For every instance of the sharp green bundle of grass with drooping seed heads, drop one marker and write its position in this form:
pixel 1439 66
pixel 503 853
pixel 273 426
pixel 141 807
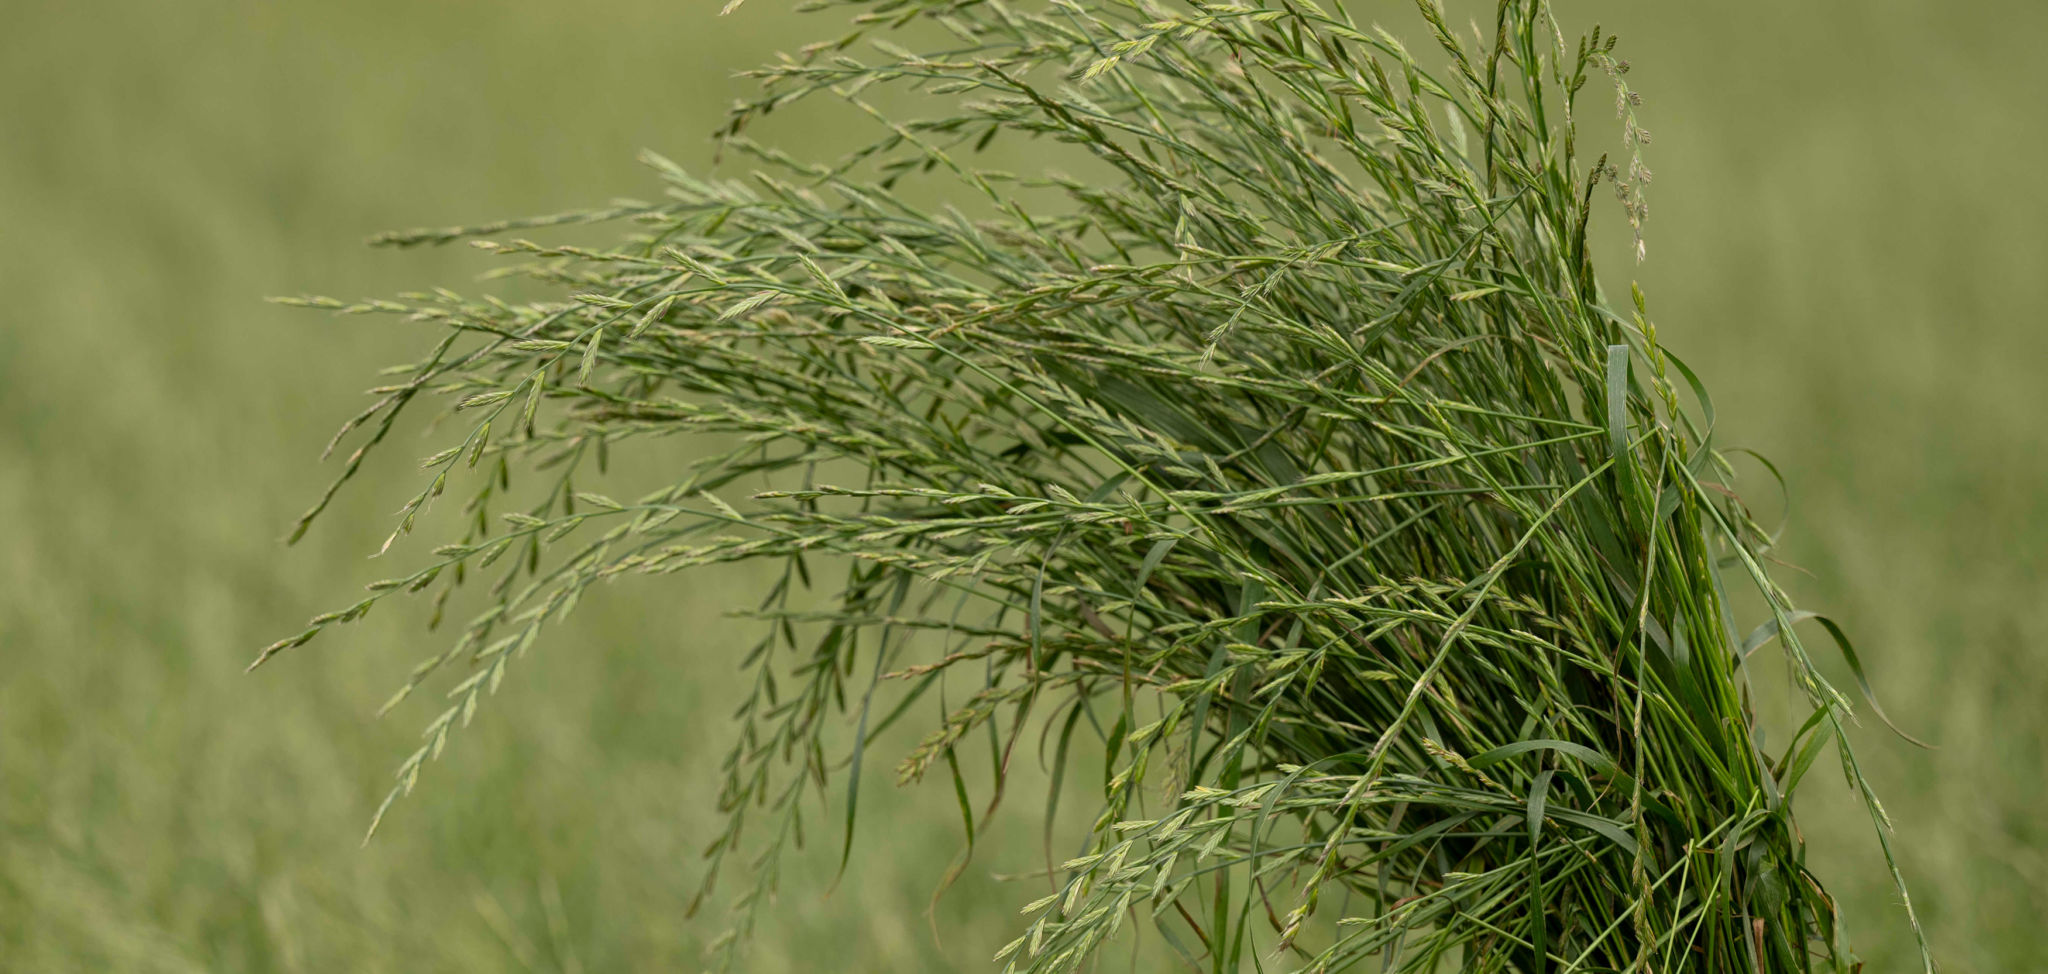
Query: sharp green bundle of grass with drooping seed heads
pixel 1291 459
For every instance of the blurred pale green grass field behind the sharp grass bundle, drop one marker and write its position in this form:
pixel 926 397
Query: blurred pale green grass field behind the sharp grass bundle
pixel 1848 240
